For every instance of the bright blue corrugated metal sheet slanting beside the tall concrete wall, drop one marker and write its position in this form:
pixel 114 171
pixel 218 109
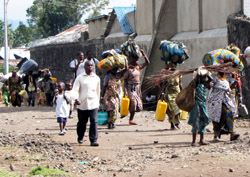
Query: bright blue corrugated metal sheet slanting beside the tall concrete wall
pixel 121 16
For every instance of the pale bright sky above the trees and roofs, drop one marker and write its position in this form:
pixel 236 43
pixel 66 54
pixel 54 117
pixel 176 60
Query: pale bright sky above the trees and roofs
pixel 16 9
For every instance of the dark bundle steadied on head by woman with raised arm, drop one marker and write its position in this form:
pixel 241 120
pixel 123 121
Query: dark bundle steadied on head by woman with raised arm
pixel 131 50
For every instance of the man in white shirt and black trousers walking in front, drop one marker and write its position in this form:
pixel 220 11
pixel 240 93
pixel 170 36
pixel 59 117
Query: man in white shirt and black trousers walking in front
pixel 87 93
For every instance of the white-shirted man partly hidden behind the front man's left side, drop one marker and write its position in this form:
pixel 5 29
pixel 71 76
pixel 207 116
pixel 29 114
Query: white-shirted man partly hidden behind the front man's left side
pixel 77 65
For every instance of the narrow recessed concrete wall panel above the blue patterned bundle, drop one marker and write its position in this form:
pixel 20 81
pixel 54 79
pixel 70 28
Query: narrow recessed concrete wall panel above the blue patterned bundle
pixel 188 15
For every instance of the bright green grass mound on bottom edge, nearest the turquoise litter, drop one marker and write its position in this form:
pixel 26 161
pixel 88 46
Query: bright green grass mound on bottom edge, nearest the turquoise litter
pixel 46 172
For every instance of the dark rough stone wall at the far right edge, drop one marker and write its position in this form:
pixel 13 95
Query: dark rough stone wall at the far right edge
pixel 239 34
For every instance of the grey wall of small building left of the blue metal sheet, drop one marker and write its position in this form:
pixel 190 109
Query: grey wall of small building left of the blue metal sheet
pixel 97 27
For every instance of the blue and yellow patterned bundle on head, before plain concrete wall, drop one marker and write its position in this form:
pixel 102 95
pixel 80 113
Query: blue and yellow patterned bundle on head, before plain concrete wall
pixel 173 51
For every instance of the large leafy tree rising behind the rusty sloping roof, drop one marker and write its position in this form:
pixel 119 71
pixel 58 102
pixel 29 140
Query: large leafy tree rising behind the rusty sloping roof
pixel 50 17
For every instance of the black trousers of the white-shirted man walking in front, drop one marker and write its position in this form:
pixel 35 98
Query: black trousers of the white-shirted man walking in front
pixel 83 116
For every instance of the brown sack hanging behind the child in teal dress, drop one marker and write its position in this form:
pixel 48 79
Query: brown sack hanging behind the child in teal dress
pixel 185 99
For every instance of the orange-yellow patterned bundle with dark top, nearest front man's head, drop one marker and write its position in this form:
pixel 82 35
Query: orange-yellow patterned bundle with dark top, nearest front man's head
pixel 112 60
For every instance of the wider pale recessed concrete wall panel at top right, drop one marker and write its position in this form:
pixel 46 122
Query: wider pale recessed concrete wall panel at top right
pixel 215 13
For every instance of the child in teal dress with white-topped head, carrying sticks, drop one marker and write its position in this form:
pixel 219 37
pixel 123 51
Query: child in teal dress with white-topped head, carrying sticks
pixel 198 116
